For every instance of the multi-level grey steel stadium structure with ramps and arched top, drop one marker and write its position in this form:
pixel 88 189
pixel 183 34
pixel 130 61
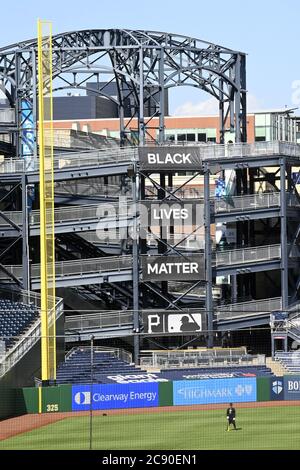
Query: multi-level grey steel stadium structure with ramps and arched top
pixel 144 64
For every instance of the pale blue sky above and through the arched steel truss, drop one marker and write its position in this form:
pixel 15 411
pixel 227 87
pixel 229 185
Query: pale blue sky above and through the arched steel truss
pixel 267 30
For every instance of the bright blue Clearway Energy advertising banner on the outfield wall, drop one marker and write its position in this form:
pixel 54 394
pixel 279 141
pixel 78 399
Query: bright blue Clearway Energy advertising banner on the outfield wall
pixel 112 396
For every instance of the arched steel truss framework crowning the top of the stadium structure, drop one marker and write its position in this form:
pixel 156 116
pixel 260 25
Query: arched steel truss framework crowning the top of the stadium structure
pixel 143 64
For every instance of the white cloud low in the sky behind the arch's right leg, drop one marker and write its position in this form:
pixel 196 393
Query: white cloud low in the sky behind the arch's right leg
pixel 211 107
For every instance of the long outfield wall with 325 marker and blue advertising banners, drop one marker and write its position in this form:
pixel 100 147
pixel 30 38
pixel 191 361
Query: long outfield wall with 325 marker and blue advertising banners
pixel 65 398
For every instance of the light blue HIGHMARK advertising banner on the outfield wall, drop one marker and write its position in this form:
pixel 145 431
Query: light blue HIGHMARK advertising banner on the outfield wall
pixel 200 392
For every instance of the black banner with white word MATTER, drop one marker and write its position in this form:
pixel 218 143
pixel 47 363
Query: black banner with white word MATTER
pixel 172 268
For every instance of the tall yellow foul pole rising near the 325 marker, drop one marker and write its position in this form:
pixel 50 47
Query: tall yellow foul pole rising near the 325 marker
pixel 47 240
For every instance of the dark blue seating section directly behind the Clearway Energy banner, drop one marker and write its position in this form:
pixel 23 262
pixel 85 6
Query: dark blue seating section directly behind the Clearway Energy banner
pixel 77 367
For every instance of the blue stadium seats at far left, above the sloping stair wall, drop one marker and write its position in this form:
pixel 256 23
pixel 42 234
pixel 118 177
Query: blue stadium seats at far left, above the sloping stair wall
pixel 15 319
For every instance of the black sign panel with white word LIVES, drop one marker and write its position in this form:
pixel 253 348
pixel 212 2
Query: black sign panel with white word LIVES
pixel 171 213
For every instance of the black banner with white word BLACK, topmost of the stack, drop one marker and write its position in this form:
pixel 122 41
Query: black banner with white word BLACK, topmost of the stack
pixel 170 158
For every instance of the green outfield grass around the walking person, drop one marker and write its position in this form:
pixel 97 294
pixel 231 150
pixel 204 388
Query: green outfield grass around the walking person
pixel 259 428
